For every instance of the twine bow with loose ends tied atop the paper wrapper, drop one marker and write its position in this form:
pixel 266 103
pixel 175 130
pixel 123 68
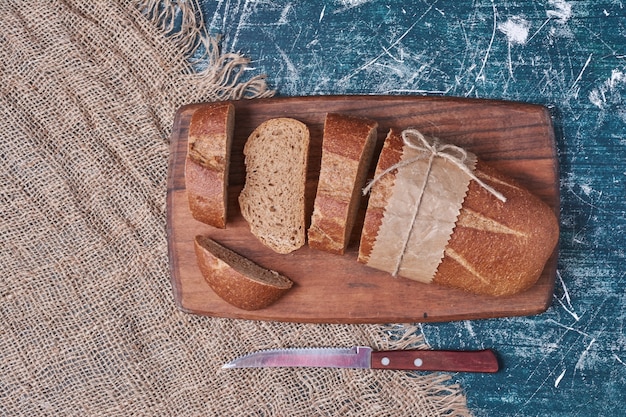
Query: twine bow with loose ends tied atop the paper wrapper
pixel 416 140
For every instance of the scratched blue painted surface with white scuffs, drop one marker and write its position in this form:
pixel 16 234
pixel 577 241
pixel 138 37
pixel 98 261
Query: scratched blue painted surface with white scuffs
pixel 568 55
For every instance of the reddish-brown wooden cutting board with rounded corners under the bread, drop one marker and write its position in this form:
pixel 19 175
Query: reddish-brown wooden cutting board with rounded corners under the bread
pixel 516 138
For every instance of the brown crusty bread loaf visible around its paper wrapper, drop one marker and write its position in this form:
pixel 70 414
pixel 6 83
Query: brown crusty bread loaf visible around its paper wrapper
pixel 496 248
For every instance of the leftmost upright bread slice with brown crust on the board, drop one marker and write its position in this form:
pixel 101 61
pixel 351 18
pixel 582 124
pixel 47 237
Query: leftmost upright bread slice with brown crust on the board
pixel 207 163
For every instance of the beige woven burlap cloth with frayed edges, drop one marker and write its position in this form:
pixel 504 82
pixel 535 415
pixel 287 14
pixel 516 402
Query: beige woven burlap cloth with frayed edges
pixel 88 324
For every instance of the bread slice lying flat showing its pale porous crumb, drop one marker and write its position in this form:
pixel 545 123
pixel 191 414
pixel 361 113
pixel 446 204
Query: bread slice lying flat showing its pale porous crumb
pixel 273 197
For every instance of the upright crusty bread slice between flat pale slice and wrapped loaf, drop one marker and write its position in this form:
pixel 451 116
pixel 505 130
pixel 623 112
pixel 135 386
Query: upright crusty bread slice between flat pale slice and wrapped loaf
pixel 347 149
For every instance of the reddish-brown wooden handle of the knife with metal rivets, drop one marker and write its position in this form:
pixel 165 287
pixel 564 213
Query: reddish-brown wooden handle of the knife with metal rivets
pixel 436 360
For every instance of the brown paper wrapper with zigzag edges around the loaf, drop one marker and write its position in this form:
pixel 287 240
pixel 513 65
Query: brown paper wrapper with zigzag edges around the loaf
pixel 420 215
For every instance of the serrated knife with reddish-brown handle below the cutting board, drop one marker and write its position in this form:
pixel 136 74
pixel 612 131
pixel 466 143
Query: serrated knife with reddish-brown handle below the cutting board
pixel 365 357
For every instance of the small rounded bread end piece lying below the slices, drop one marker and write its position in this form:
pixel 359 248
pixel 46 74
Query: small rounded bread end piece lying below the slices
pixel 237 280
